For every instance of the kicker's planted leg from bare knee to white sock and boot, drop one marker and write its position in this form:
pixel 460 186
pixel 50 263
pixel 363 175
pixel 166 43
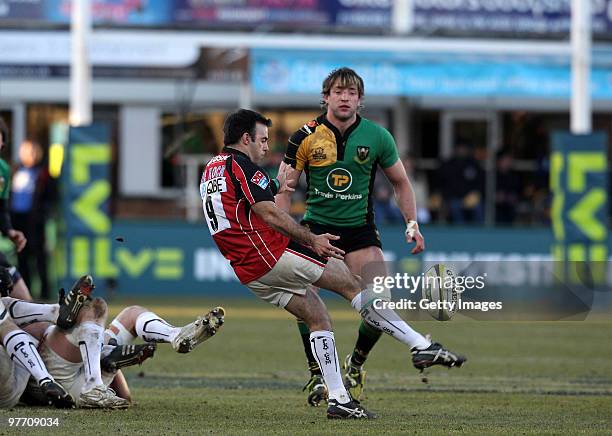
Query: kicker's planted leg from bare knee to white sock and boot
pixel 311 309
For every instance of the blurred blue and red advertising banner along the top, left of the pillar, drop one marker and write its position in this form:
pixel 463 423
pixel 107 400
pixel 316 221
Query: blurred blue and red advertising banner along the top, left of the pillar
pixel 228 14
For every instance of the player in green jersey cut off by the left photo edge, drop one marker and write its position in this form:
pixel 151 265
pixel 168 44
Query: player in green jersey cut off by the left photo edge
pixel 18 239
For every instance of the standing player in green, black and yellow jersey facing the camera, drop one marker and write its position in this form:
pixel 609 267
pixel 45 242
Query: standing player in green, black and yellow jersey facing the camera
pixel 340 152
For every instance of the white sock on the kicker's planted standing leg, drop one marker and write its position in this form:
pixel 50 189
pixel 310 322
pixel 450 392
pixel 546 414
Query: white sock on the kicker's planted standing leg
pixel 323 347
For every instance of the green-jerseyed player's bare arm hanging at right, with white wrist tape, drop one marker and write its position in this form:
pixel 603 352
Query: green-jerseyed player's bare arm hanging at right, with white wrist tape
pixel 404 195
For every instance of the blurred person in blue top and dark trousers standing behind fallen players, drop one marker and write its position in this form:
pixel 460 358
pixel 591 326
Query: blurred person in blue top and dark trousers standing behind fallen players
pixel 32 197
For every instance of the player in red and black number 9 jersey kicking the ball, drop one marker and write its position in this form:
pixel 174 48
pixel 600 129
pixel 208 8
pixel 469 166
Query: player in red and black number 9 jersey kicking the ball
pixel 278 260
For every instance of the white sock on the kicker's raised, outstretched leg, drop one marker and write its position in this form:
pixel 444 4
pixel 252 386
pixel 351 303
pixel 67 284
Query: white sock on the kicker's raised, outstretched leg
pixel 387 321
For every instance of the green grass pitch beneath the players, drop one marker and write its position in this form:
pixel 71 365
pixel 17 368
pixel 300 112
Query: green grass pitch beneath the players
pixel 521 378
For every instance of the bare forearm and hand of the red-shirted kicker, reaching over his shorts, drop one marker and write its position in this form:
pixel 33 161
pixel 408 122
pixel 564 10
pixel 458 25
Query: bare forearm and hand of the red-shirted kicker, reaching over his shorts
pixel 282 222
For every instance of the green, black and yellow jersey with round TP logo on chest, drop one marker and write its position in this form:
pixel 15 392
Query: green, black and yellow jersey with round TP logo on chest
pixel 340 169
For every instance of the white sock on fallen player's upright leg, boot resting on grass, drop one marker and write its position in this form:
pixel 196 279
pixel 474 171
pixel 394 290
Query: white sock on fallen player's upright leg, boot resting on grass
pixel 89 336
